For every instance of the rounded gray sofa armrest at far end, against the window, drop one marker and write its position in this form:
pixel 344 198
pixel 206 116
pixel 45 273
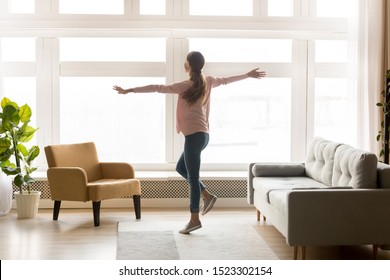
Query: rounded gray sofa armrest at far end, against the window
pixel 284 169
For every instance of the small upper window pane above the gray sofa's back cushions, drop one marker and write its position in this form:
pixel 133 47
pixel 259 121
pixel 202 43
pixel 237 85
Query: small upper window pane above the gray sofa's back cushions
pixel 331 51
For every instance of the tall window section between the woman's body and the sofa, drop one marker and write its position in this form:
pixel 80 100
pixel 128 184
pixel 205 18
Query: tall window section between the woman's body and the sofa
pixel 249 118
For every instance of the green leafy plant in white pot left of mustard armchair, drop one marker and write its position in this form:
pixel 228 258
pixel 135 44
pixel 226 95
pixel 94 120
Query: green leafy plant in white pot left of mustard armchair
pixel 15 158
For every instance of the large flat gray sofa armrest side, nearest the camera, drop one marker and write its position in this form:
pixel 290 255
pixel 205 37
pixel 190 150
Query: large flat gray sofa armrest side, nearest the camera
pixel 338 217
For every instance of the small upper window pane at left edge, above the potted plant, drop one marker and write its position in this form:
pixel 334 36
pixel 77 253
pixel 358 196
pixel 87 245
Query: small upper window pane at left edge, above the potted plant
pixel 17 49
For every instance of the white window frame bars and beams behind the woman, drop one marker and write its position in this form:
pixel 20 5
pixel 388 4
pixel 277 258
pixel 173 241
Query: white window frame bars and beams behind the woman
pixel 47 25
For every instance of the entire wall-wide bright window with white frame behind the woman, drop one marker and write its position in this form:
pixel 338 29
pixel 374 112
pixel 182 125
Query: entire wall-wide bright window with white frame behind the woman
pixel 64 59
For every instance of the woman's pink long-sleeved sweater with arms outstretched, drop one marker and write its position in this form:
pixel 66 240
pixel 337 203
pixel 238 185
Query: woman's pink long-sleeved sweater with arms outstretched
pixel 191 118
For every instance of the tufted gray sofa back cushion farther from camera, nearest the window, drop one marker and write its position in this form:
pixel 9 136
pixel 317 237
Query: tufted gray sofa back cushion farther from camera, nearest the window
pixel 320 160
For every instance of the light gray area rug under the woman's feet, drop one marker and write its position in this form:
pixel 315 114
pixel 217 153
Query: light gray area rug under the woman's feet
pixel 226 242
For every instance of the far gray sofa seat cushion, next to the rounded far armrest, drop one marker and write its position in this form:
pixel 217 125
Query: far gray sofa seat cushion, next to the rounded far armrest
pixel 264 185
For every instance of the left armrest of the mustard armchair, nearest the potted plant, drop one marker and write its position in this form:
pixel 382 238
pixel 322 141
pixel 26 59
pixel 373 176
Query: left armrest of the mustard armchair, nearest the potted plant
pixel 67 183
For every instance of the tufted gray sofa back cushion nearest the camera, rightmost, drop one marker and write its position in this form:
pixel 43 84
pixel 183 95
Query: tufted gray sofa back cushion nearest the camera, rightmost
pixel 354 167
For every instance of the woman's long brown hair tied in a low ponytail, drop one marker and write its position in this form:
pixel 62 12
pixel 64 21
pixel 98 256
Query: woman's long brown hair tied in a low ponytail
pixel 198 89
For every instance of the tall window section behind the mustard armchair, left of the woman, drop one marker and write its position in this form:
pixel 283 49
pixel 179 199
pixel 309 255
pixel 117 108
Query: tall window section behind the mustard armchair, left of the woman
pixel 90 110
